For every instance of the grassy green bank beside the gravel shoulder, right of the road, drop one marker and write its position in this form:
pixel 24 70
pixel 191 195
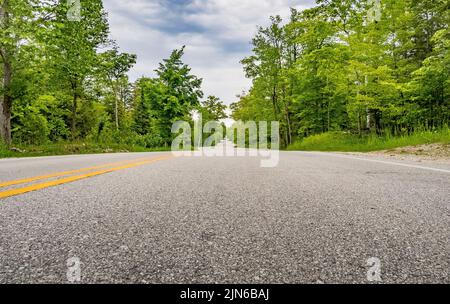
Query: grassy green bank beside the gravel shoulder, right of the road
pixel 346 142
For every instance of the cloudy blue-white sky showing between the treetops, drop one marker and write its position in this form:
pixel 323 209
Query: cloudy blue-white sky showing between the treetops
pixel 217 35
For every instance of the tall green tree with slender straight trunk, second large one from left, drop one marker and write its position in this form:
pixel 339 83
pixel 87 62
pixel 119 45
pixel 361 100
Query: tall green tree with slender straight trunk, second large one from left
pixel 72 49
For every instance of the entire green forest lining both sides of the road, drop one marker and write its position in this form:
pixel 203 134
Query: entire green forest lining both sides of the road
pixel 360 67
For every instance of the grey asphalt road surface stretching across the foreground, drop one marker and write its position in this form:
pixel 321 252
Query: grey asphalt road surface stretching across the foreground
pixel 314 218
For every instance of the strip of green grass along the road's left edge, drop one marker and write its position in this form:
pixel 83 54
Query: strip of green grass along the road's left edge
pixel 70 148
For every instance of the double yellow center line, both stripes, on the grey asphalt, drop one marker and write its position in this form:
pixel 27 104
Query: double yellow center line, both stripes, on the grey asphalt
pixel 108 168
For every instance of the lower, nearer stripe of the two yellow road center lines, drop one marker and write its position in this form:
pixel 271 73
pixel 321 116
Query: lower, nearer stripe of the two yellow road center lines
pixel 31 188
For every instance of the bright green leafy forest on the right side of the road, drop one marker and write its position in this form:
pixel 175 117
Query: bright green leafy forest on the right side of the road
pixel 354 66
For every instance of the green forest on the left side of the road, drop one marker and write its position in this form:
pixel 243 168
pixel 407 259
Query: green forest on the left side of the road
pixel 66 82
